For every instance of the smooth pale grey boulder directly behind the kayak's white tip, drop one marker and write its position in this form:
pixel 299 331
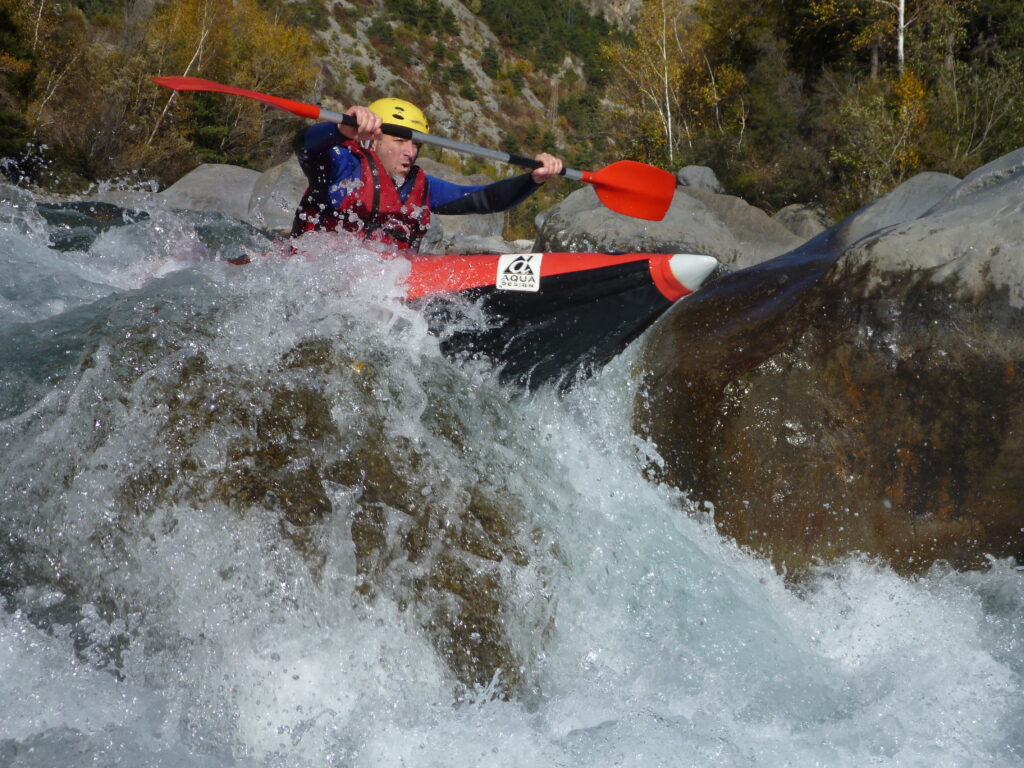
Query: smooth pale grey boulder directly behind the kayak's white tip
pixel 583 224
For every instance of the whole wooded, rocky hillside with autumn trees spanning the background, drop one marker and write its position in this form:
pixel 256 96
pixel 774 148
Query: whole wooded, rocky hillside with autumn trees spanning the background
pixel 828 101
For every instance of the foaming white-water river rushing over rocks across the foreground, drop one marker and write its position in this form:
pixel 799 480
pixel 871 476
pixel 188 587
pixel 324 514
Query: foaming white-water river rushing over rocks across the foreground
pixel 191 453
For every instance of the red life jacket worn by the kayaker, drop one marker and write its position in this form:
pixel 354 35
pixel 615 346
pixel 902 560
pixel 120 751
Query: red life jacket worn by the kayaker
pixel 374 209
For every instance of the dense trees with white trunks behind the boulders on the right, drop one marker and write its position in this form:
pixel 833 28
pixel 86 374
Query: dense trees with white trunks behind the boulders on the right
pixel 829 101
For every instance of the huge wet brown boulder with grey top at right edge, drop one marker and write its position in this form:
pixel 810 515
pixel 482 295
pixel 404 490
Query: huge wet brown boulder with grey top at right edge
pixel 866 393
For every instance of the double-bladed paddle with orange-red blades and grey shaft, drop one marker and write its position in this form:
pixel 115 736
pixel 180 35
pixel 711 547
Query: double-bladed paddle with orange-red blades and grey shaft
pixel 626 187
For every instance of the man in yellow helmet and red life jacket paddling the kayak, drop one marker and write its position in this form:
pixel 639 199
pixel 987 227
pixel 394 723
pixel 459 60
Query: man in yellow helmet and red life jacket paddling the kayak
pixel 364 182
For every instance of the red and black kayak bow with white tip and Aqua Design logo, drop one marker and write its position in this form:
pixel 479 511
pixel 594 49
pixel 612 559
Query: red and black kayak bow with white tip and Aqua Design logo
pixel 551 318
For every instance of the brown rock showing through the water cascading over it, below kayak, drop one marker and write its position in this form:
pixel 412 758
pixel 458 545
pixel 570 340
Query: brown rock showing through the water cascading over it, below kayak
pixel 446 557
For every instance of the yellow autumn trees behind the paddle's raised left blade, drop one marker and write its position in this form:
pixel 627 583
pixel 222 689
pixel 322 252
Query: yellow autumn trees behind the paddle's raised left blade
pixel 76 101
